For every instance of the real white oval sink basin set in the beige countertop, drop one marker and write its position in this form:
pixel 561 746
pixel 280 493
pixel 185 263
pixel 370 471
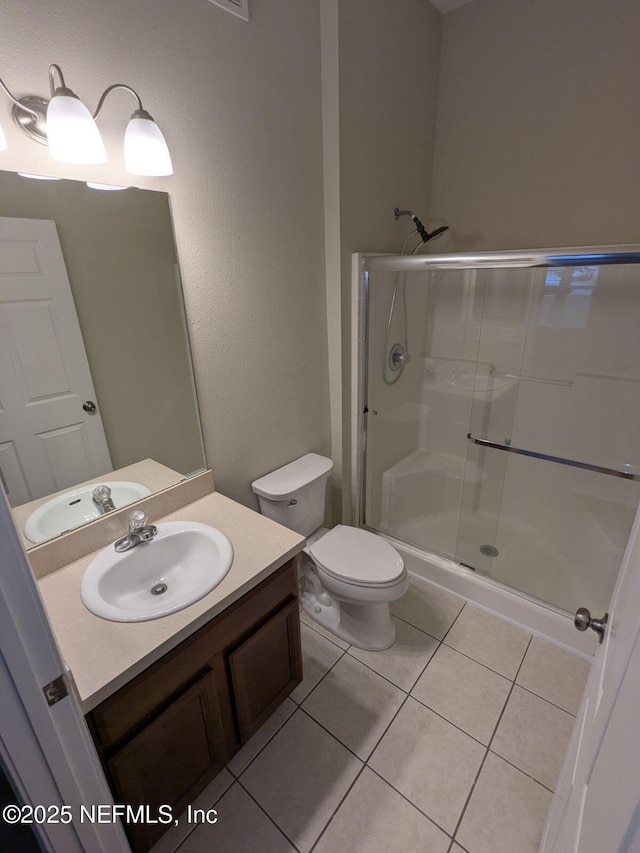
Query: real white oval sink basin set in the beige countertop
pixel 183 563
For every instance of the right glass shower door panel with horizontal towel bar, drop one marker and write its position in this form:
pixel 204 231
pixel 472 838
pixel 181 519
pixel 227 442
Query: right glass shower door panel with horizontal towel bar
pixel 553 530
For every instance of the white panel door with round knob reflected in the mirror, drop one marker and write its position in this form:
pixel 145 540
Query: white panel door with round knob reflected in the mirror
pixel 47 441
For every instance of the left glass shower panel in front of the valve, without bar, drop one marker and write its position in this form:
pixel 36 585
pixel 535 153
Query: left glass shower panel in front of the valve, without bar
pixel 418 414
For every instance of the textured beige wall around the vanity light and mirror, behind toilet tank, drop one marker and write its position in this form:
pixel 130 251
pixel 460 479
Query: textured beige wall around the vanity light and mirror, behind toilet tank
pixel 240 105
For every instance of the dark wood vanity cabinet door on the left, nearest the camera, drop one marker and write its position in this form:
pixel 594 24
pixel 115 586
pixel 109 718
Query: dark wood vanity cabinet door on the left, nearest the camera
pixel 171 759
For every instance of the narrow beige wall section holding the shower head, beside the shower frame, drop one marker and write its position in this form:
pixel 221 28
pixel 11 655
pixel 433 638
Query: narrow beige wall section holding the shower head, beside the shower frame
pixel 387 55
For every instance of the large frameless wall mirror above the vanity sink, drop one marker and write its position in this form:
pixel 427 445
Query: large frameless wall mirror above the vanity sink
pixel 96 380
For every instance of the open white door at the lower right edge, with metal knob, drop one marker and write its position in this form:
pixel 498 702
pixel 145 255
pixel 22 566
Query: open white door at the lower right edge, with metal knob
pixel 598 792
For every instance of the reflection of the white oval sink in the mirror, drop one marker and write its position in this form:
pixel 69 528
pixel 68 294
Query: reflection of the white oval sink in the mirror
pixel 76 507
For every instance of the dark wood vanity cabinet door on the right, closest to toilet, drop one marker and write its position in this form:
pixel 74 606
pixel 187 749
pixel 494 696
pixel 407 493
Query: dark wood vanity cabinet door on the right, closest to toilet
pixel 265 668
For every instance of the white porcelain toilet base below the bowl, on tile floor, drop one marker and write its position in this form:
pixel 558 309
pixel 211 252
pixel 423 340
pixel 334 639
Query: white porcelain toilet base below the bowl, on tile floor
pixel 367 626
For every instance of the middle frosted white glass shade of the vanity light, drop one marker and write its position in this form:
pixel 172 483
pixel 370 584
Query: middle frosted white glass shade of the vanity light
pixel 72 133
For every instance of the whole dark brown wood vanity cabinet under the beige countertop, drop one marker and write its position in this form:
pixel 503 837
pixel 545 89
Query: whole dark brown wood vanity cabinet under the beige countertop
pixel 170 730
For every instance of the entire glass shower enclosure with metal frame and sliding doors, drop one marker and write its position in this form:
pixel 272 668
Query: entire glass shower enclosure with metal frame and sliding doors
pixel 500 413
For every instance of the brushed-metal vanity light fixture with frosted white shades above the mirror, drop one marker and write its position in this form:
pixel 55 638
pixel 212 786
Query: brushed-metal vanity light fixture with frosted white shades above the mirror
pixel 69 129
